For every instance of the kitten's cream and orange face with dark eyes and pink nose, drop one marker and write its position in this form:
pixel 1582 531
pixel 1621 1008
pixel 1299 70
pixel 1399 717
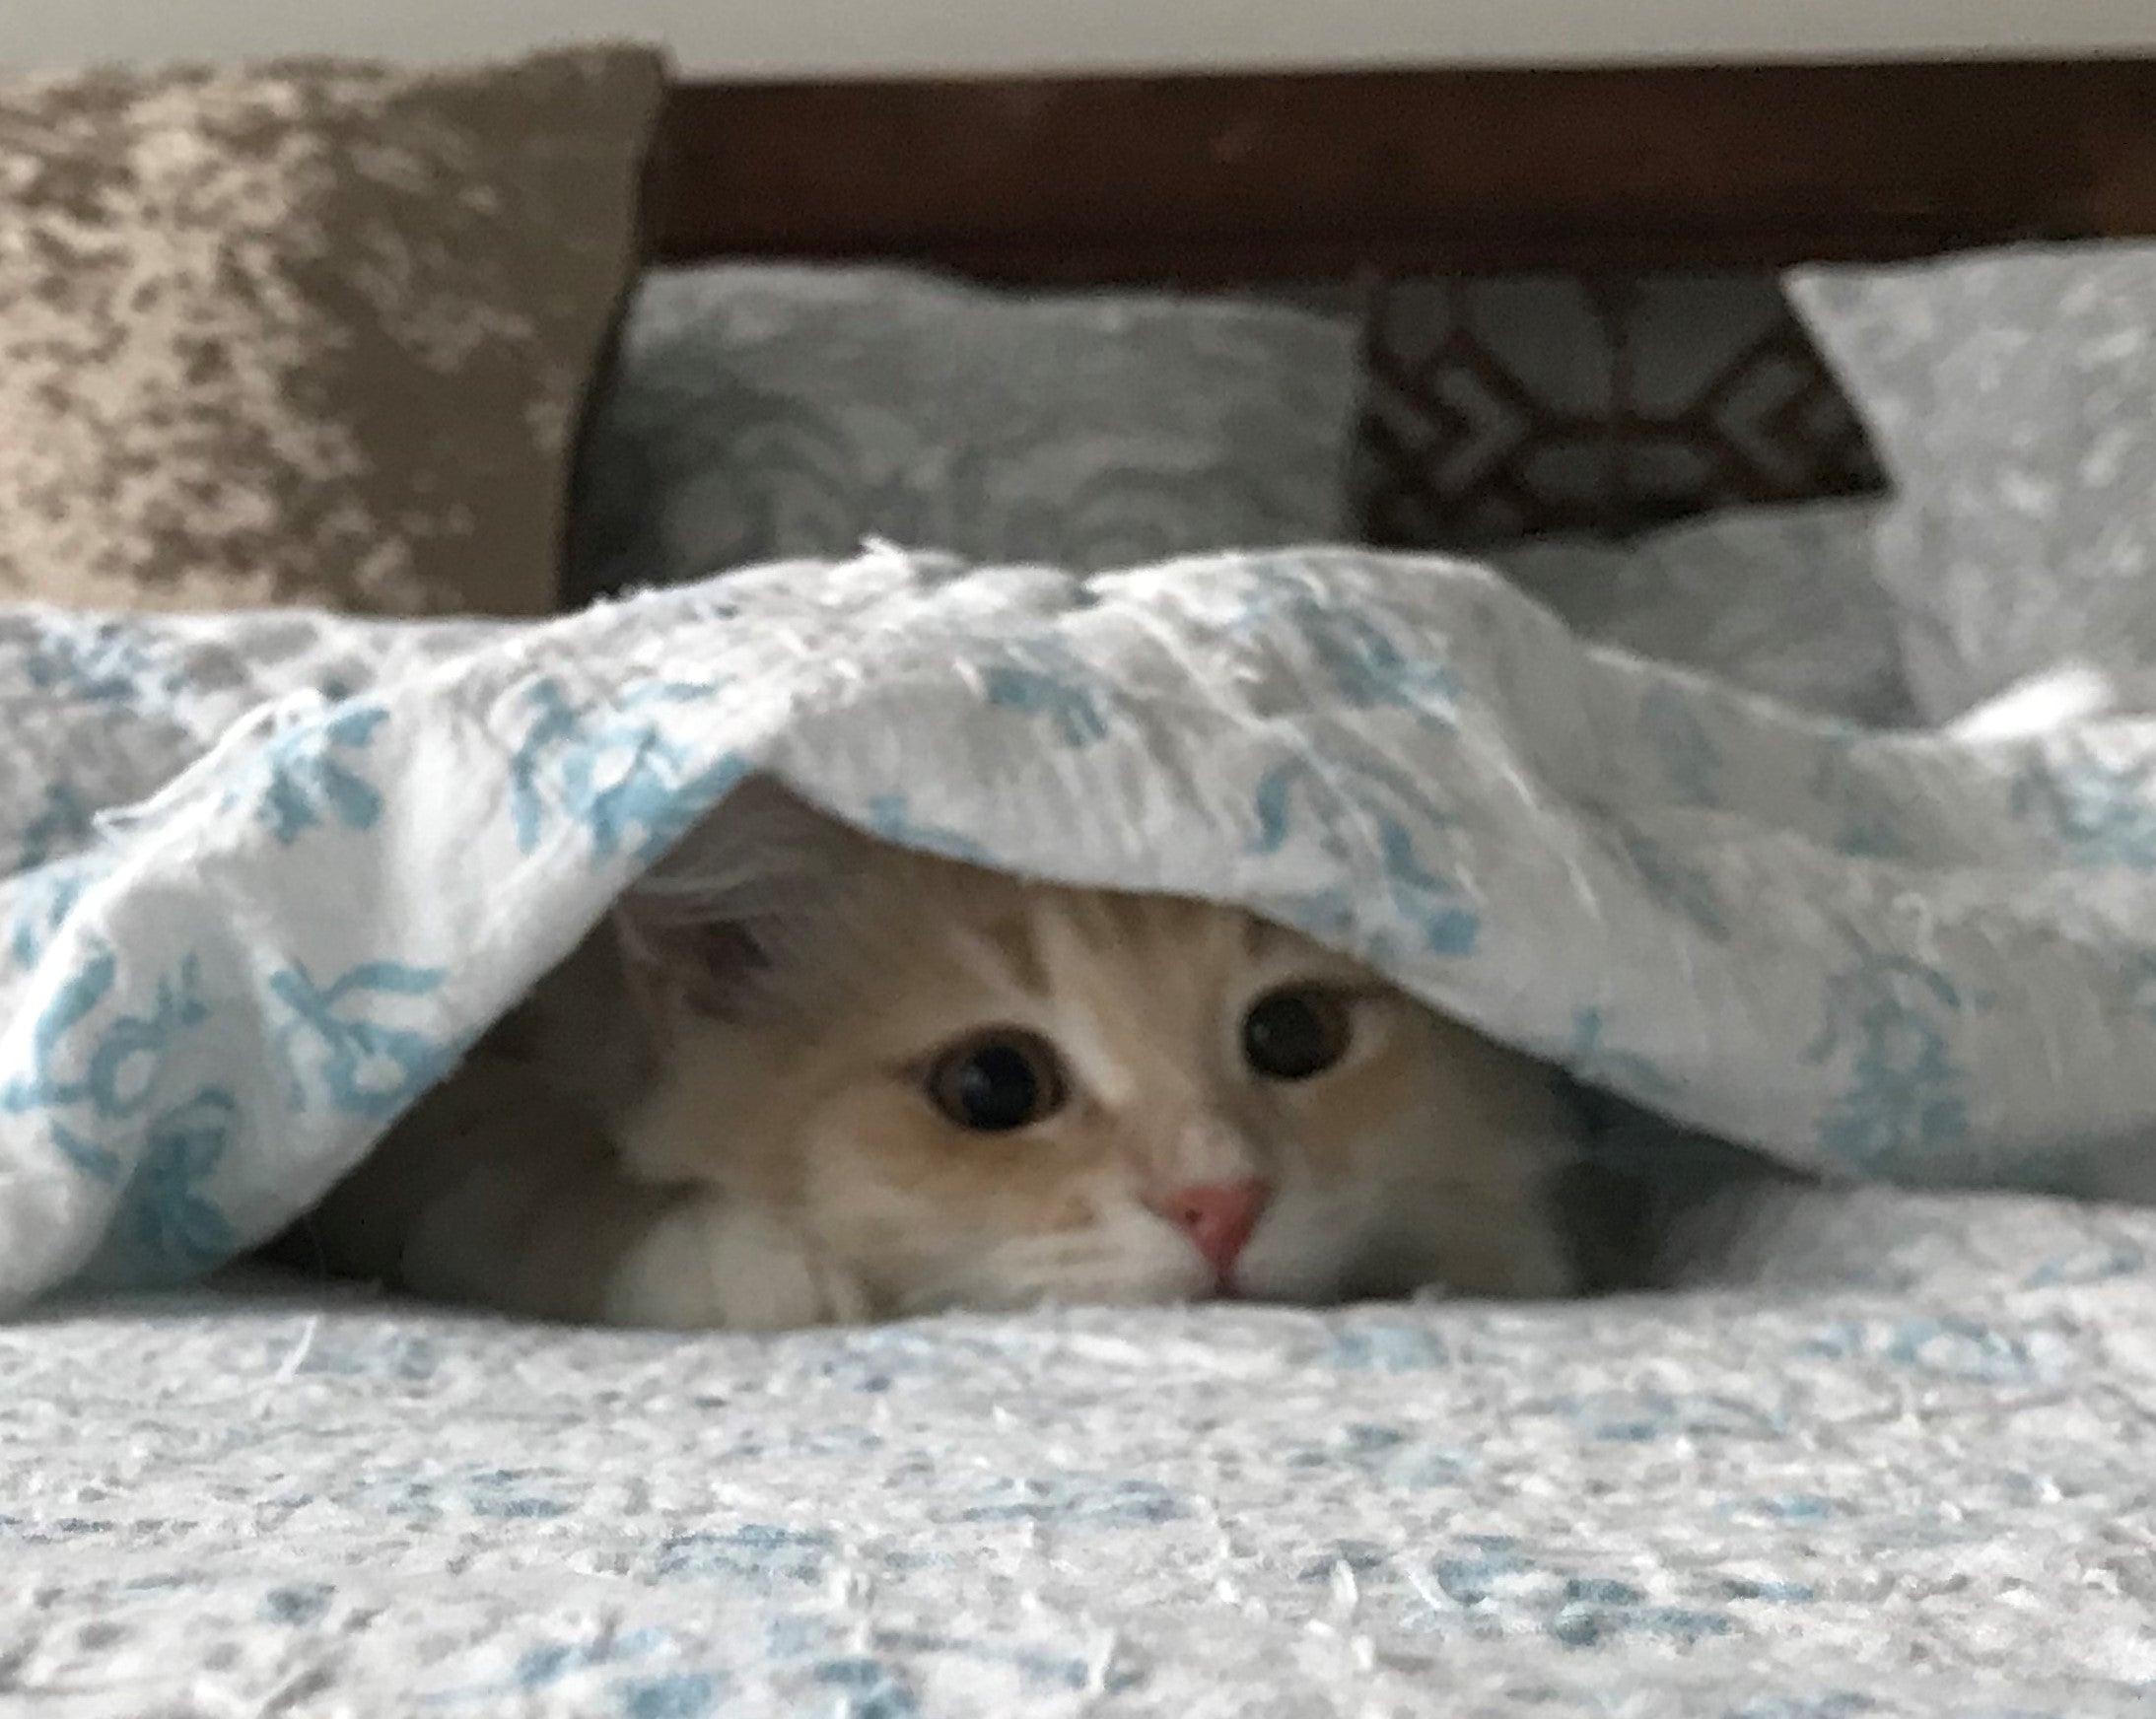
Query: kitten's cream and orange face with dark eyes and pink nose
pixel 982 1095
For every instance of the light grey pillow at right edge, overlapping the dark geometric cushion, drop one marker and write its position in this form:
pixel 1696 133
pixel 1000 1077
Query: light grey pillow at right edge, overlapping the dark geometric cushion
pixel 2015 402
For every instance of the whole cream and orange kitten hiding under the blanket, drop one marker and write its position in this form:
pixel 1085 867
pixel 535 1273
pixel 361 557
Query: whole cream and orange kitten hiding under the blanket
pixel 810 1077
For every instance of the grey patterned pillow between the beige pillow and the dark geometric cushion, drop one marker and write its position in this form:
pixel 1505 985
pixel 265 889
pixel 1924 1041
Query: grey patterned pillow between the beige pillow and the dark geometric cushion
pixel 766 411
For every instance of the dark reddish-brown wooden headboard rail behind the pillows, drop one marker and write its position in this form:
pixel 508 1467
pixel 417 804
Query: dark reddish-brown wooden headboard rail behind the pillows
pixel 1236 178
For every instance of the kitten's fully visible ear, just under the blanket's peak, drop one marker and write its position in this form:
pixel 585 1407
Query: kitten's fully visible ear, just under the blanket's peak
pixel 734 900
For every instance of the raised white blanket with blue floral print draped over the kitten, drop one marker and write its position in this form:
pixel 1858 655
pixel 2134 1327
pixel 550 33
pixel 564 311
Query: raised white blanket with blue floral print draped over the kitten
pixel 273 872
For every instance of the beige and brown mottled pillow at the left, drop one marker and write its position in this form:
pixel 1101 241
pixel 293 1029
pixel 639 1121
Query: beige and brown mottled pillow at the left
pixel 309 333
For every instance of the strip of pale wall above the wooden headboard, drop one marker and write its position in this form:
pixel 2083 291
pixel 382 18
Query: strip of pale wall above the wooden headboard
pixel 790 38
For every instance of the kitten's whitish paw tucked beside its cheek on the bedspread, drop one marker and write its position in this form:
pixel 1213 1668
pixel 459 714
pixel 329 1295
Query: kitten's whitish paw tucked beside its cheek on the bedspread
pixel 713 1267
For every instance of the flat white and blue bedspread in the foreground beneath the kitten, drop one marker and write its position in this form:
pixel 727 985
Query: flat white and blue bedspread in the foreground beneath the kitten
pixel 1894 1466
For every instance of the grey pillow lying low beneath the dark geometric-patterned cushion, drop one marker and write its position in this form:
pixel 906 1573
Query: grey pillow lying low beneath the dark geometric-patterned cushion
pixel 1780 601
